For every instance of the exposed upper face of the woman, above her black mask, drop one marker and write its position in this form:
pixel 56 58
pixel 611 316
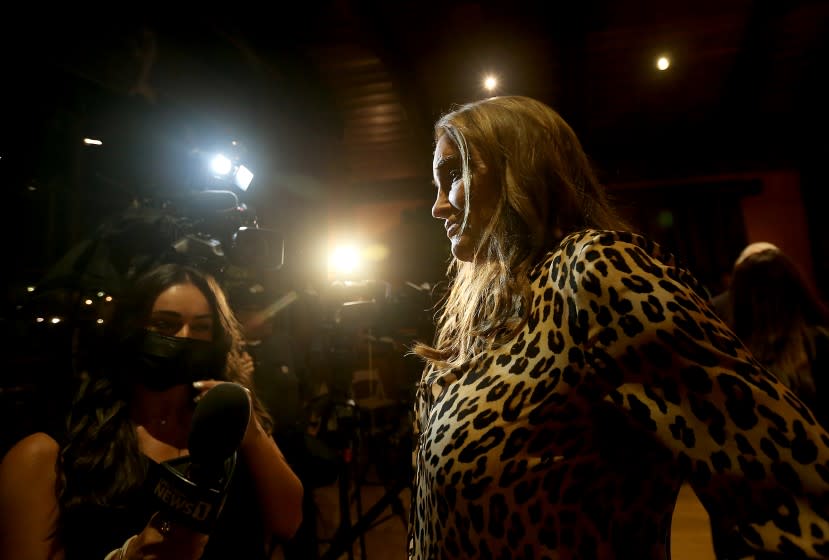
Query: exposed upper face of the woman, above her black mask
pixel 182 311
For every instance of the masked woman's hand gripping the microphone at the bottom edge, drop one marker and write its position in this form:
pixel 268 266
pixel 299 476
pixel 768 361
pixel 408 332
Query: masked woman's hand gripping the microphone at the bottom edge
pixel 162 540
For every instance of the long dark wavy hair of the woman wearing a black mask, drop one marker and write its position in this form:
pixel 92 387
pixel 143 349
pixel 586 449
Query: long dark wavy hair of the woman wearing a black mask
pixel 100 461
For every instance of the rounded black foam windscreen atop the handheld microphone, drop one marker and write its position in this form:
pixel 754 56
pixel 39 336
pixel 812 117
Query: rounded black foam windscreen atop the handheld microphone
pixel 219 423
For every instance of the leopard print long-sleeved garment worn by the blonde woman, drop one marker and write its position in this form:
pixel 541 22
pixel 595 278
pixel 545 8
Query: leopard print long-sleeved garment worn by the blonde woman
pixel 572 439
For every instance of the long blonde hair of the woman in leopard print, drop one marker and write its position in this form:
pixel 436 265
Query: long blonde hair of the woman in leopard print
pixel 548 189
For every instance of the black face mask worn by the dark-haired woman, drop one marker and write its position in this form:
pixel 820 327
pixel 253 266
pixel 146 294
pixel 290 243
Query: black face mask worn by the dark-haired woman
pixel 159 362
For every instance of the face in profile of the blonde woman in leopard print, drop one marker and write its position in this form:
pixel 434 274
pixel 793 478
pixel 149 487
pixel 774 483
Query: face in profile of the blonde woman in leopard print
pixel 450 201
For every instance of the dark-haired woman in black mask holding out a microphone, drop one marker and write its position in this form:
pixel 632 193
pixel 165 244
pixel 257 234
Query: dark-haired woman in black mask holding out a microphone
pixel 86 495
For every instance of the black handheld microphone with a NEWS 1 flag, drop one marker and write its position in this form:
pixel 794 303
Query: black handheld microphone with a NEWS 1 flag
pixel 191 490
